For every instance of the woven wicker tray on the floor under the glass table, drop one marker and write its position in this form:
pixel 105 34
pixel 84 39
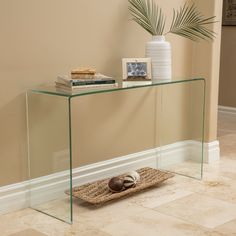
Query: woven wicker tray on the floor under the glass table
pixel 98 192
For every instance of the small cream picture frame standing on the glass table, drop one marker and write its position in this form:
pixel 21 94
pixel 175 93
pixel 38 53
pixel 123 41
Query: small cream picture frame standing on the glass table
pixel 136 69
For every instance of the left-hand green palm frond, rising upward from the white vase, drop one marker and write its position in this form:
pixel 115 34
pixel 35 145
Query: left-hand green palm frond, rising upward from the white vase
pixel 148 15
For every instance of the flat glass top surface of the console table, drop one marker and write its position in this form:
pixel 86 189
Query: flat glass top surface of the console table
pixel 52 90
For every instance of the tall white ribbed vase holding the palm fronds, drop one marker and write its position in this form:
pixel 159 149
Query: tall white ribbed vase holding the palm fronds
pixel 159 50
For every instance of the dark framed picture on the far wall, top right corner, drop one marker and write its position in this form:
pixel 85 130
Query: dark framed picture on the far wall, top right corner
pixel 229 13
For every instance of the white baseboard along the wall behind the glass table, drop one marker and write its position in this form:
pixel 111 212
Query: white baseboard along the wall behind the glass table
pixel 21 195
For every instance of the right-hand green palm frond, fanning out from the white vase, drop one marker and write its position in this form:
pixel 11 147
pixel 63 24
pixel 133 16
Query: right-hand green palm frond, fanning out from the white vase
pixel 190 23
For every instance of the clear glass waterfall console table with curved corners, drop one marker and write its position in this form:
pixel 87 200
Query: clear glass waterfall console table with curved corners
pixel 79 137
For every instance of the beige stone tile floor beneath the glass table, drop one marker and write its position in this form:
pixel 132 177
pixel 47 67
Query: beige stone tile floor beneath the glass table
pixel 180 206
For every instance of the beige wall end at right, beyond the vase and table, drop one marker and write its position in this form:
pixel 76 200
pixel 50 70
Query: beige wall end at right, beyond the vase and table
pixel 206 61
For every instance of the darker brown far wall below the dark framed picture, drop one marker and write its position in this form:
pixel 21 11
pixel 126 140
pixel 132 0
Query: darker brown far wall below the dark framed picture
pixel 227 94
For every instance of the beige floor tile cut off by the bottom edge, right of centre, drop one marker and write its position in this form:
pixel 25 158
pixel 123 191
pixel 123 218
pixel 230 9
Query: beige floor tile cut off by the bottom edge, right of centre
pixel 153 223
